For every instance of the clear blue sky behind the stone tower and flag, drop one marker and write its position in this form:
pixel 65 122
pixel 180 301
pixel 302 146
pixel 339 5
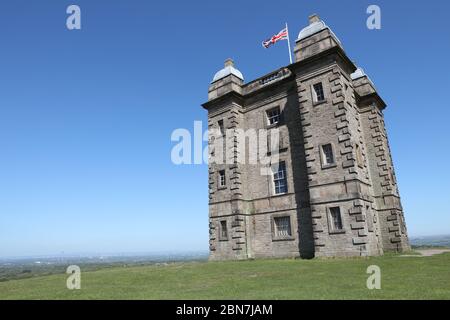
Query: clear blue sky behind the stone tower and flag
pixel 86 116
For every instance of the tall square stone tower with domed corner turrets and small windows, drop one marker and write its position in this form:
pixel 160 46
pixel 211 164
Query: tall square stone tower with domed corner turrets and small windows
pixel 331 190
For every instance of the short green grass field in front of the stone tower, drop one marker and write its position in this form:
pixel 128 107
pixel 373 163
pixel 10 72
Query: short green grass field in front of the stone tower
pixel 401 278
